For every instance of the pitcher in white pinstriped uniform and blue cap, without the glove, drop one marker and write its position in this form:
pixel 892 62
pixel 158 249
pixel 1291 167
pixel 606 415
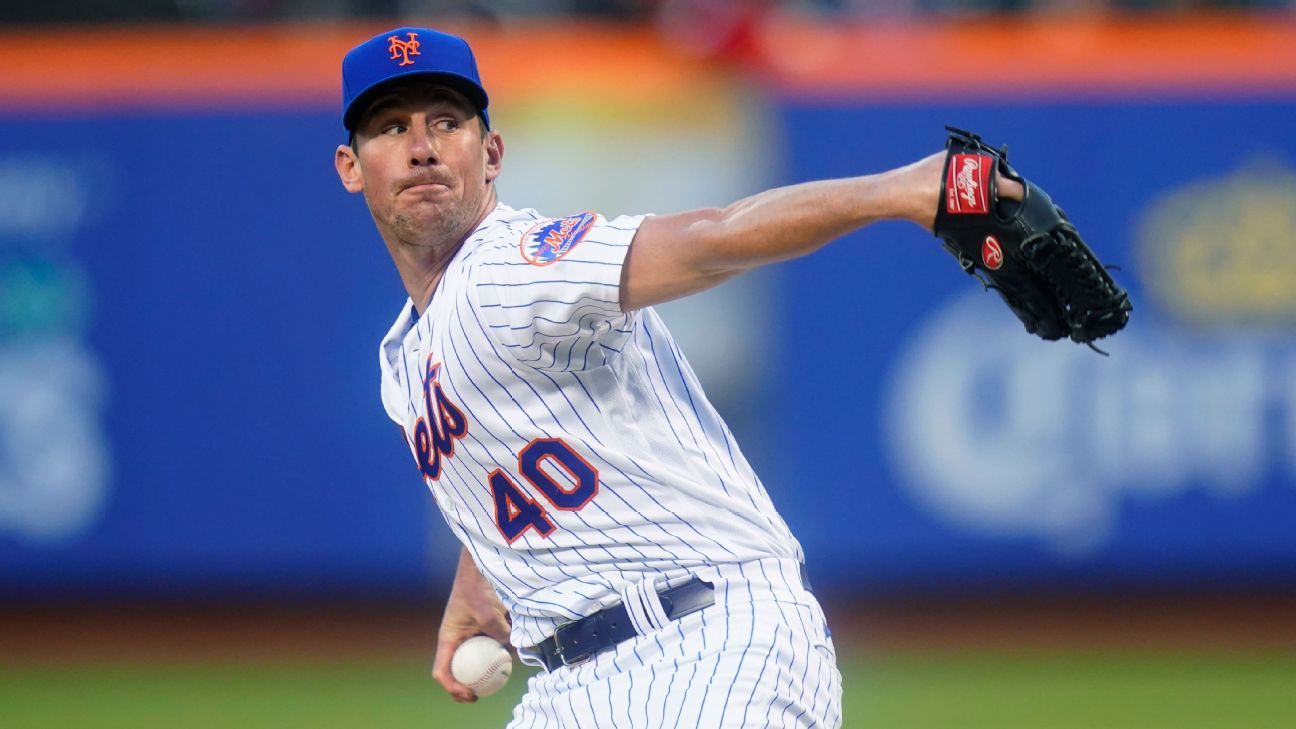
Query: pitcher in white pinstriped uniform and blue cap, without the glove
pixel 611 527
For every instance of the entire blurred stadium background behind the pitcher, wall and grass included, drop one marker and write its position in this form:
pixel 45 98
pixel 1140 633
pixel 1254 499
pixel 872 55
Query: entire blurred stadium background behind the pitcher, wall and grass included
pixel 208 521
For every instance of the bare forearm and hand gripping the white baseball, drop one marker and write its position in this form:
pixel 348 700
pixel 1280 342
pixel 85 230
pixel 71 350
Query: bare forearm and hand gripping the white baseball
pixel 472 610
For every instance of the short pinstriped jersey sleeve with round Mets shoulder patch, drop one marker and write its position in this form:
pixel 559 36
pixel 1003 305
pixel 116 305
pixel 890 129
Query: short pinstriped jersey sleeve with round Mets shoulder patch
pixel 551 294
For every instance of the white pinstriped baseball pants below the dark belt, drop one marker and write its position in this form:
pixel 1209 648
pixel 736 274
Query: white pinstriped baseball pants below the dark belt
pixel 748 662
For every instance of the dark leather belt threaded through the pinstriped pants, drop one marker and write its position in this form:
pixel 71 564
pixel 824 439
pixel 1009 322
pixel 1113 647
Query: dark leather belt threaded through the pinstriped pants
pixel 580 640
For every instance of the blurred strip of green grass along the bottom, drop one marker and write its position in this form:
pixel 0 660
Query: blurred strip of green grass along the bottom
pixel 914 692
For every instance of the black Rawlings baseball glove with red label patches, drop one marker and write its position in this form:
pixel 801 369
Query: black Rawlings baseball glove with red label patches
pixel 1026 251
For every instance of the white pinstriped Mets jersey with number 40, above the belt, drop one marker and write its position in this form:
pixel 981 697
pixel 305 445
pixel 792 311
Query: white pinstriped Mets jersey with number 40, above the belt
pixel 568 444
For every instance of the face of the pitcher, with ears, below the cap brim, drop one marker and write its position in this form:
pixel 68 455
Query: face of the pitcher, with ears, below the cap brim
pixel 424 163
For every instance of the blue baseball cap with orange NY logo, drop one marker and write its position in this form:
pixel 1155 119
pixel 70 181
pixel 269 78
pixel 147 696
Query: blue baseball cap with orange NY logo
pixel 404 54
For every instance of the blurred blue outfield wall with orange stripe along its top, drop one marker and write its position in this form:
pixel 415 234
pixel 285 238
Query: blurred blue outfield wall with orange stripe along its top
pixel 189 388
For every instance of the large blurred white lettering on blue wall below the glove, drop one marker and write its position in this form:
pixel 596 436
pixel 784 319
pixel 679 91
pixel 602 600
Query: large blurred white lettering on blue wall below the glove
pixel 1001 434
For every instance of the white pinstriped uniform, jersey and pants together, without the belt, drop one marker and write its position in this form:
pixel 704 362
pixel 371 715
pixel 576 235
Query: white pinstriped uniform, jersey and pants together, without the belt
pixel 533 353
